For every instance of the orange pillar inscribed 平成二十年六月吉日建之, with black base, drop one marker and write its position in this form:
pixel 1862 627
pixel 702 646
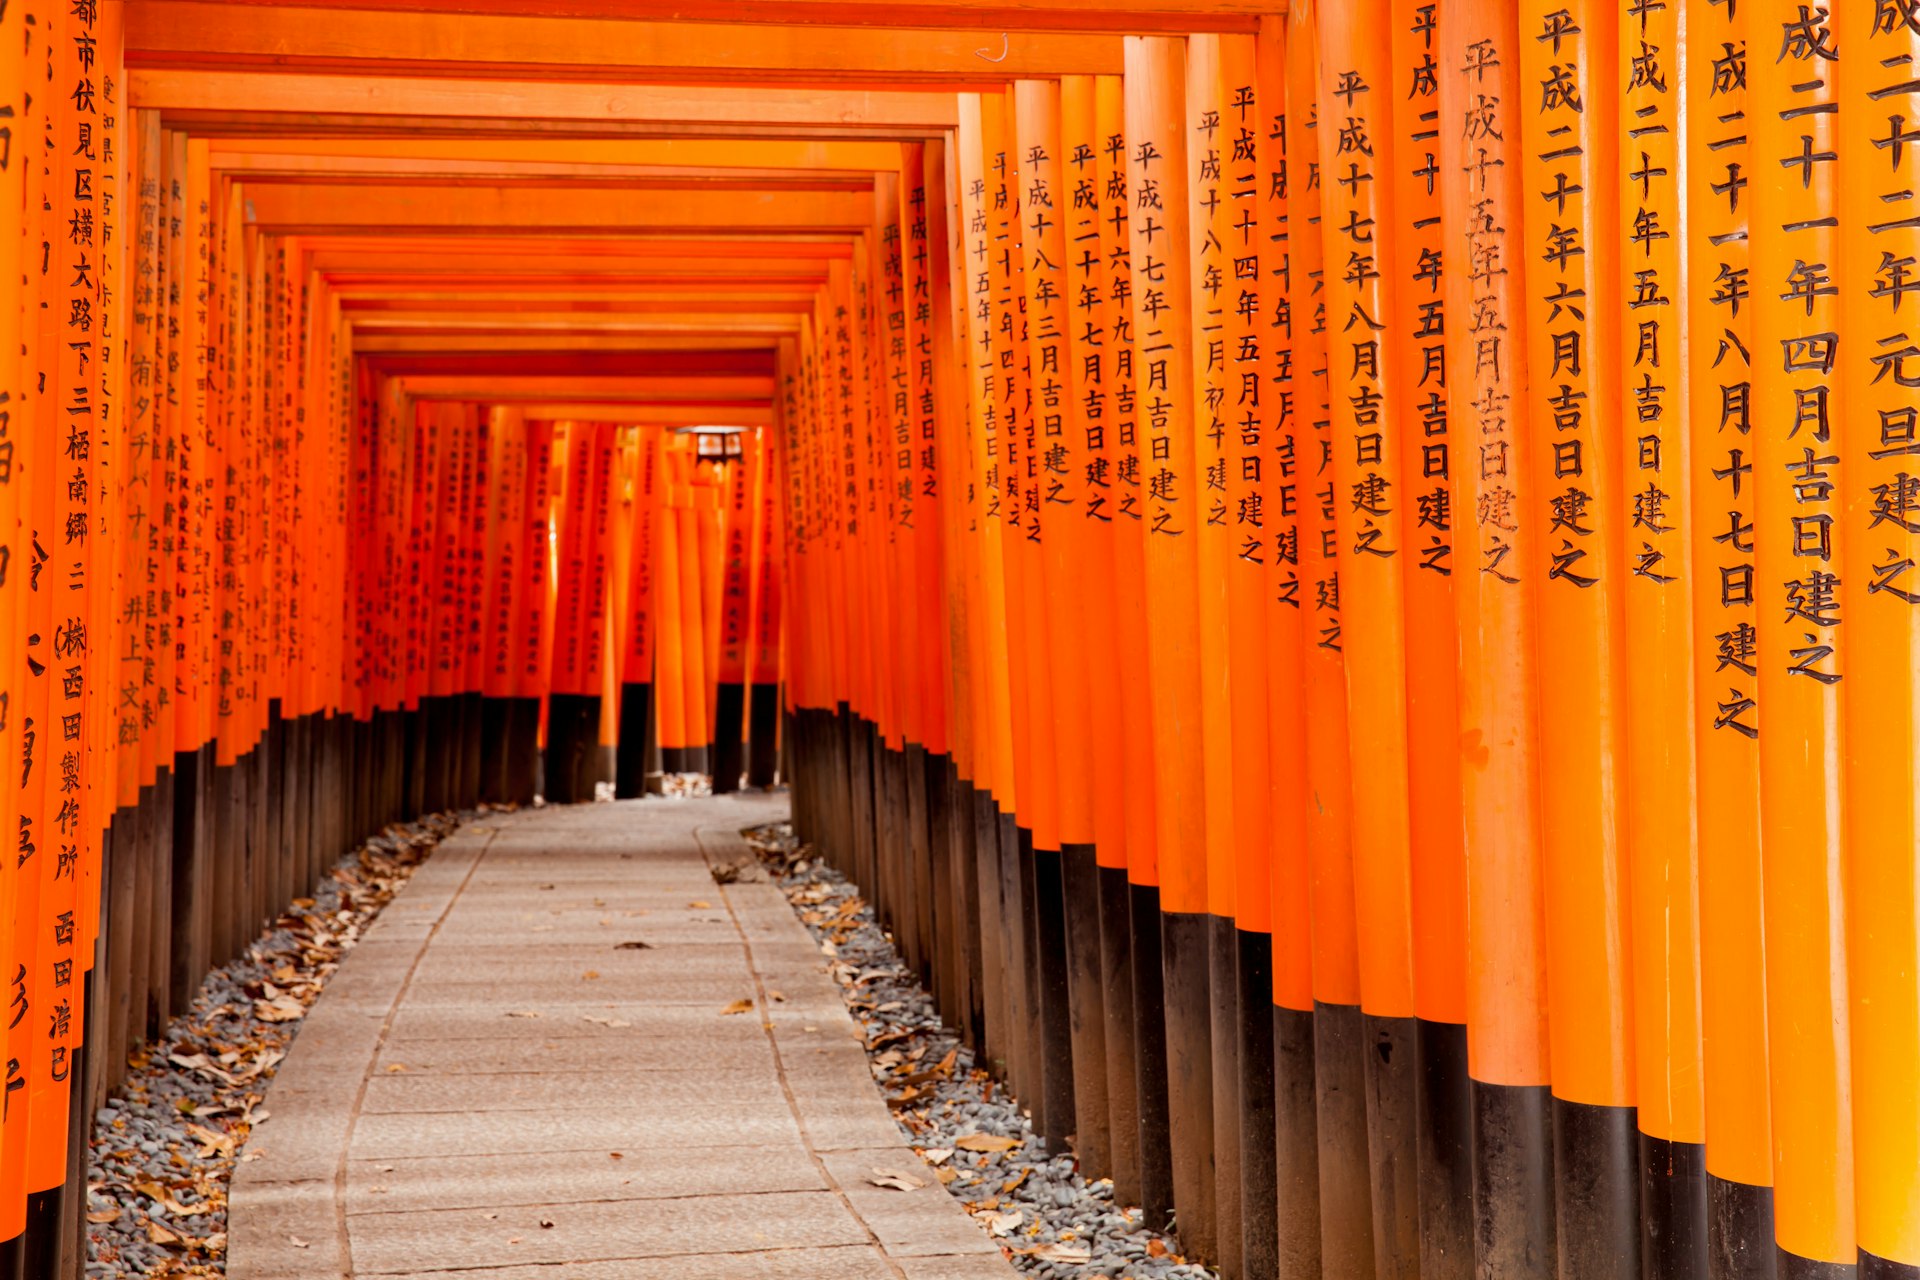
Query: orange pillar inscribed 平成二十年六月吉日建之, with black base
pixel 1573 256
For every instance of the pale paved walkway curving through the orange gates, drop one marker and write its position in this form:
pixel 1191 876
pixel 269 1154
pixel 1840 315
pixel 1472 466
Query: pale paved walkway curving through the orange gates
pixel 525 1070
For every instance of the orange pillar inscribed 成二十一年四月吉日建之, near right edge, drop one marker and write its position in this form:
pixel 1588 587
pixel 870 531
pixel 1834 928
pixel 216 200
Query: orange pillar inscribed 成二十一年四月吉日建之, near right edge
pixel 1804 655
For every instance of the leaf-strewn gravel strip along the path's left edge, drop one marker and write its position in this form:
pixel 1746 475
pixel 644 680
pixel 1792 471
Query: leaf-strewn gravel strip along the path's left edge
pixel 164 1150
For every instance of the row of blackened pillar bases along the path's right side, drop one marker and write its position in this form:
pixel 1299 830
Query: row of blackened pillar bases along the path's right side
pixel 1284 1145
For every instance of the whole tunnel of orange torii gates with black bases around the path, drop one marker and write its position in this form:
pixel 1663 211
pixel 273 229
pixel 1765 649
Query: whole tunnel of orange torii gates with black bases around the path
pixel 1345 579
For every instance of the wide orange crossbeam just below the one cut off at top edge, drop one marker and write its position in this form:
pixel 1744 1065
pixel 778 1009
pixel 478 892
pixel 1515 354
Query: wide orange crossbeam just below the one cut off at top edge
pixel 189 34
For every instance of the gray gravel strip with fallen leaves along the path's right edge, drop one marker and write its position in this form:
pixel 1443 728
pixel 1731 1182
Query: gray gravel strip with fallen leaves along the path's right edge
pixel 1032 1202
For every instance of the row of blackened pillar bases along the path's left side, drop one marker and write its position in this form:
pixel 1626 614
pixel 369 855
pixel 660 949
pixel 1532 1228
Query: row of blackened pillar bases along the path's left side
pixel 210 853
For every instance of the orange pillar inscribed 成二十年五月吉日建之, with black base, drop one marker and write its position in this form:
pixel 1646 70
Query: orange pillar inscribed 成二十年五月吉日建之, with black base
pixel 1656 502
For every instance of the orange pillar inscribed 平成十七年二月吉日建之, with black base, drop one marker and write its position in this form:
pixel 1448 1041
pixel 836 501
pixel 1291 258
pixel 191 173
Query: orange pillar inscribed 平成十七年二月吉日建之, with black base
pixel 1172 513
